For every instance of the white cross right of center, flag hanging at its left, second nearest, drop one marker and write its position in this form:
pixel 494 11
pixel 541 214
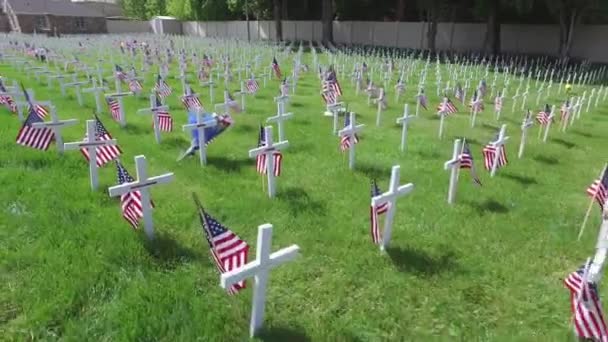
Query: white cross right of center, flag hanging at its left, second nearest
pixel 391 195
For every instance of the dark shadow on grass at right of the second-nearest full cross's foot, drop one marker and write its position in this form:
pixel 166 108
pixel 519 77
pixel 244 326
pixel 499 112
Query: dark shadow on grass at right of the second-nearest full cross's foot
pixel 420 262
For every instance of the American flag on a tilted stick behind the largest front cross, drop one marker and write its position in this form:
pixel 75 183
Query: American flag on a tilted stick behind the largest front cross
pixel 227 249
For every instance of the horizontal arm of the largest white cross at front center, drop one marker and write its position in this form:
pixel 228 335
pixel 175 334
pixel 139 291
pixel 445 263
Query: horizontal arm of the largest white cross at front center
pixel 251 269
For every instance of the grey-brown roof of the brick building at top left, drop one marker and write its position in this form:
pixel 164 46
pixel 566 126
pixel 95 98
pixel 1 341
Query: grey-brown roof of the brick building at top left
pixel 53 7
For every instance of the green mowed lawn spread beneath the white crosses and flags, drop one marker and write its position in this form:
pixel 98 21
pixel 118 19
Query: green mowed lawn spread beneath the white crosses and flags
pixel 489 267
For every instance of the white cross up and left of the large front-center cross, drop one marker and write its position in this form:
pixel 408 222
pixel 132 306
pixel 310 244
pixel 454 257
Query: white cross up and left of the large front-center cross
pixel 142 184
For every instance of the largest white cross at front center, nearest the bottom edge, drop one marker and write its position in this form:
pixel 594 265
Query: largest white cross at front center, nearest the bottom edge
pixel 259 270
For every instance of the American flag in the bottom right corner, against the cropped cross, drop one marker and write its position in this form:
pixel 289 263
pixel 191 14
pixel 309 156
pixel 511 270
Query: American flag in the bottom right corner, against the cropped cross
pixel 586 307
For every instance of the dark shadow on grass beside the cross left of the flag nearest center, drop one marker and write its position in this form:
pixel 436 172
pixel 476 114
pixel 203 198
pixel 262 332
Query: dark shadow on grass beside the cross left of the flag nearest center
pixel 168 252
